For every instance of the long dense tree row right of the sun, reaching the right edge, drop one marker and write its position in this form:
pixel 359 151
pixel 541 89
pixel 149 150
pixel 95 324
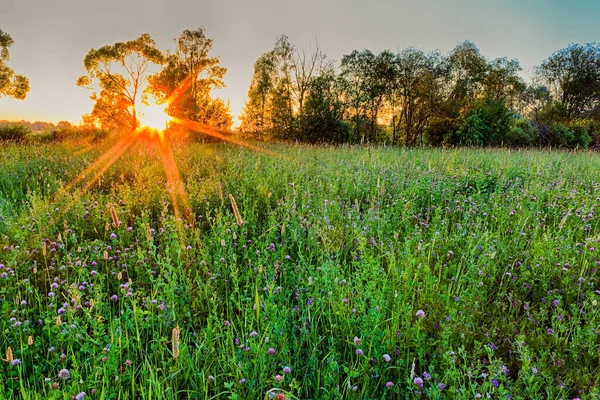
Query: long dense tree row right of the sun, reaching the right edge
pixel 417 98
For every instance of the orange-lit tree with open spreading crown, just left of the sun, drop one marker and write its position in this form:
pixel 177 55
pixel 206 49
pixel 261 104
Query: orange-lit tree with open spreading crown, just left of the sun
pixel 121 73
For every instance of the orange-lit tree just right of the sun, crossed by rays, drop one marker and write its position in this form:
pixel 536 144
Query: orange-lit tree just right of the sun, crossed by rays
pixel 191 74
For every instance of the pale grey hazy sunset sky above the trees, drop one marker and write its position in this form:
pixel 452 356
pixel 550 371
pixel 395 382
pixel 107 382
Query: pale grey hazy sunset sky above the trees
pixel 52 37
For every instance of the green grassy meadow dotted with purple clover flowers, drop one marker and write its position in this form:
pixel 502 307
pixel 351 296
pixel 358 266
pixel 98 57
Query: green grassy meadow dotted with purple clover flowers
pixel 299 272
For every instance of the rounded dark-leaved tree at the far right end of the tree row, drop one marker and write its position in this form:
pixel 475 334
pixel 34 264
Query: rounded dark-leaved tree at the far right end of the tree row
pixel 573 77
